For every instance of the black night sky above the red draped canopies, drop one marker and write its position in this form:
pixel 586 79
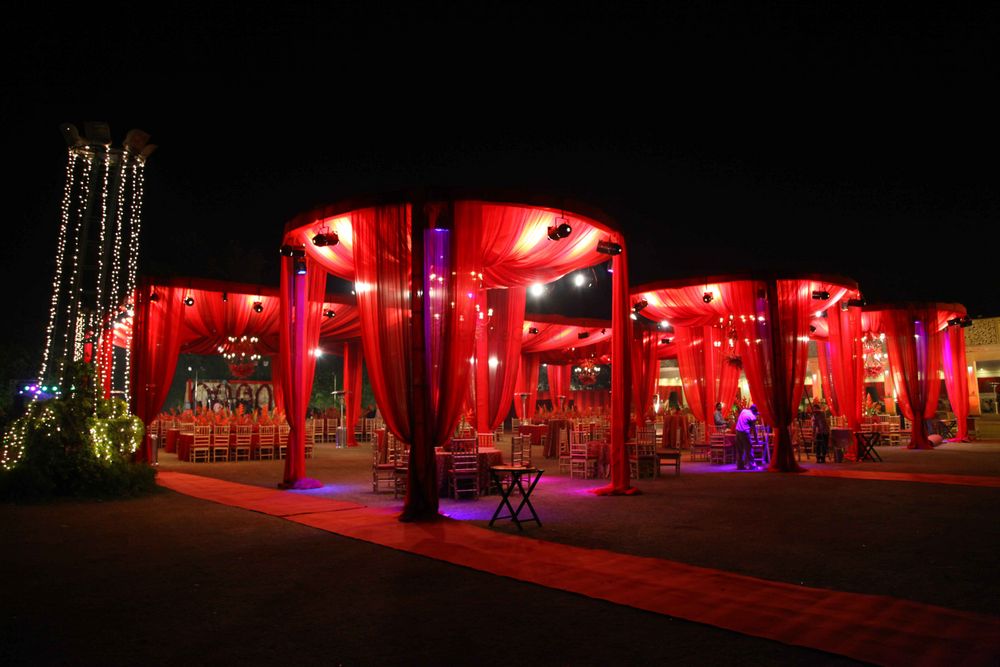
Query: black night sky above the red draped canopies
pixel 823 140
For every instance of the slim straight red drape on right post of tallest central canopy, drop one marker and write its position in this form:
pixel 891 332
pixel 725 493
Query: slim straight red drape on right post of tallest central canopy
pixel 621 378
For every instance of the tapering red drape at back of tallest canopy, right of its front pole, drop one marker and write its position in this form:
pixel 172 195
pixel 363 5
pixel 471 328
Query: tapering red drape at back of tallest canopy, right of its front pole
pixel 498 355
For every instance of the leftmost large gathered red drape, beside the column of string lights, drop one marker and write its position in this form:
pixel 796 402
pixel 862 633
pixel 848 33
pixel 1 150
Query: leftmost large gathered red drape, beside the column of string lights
pixel 156 332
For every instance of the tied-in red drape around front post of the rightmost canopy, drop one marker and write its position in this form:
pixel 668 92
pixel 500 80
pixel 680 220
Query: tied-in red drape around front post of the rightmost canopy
pixel 914 347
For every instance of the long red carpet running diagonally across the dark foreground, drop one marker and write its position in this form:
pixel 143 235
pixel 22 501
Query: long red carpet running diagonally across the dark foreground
pixel 872 628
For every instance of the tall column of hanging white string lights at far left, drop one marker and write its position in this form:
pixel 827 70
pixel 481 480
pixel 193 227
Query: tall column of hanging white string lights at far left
pixel 96 255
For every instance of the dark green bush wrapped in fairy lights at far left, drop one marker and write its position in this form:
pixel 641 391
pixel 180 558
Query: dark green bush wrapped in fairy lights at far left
pixel 75 447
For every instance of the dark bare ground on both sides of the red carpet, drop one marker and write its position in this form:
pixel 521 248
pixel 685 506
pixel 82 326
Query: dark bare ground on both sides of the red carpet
pixel 170 579
